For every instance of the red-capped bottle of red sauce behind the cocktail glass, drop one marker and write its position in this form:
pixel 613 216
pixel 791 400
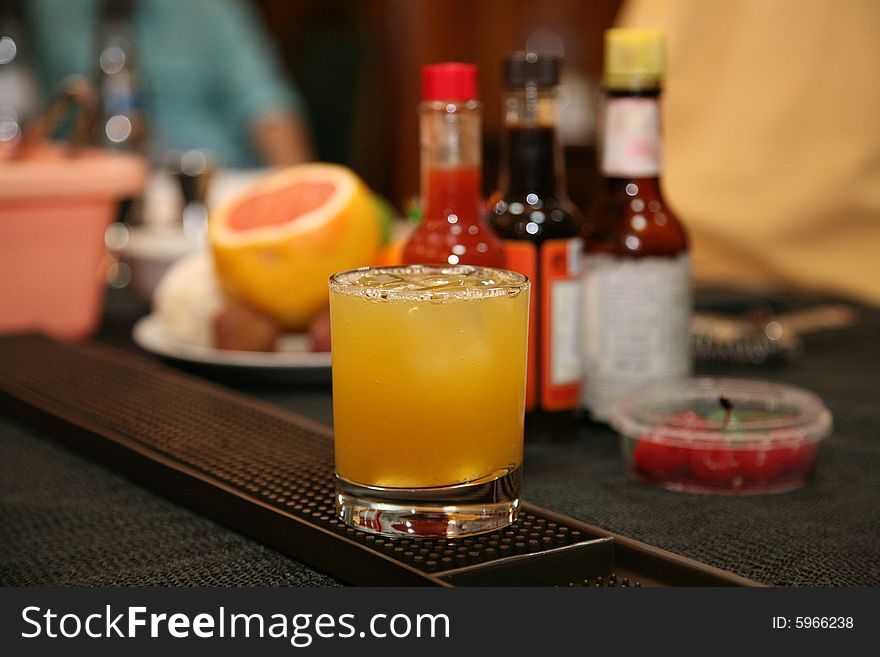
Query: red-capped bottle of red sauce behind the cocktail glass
pixel 453 230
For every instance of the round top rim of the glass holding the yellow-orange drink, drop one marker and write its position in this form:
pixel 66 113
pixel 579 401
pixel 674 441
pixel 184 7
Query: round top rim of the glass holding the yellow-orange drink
pixel 504 283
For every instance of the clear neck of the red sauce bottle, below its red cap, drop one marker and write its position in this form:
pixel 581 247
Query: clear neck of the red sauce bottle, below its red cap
pixel 451 160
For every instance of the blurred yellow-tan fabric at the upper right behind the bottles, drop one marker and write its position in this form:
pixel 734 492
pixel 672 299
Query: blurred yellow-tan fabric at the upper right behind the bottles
pixel 772 138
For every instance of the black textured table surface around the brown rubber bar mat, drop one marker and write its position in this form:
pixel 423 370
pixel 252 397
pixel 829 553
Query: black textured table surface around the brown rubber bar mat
pixel 67 520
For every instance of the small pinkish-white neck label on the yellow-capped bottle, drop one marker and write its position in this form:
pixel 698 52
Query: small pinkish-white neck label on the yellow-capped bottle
pixel 632 137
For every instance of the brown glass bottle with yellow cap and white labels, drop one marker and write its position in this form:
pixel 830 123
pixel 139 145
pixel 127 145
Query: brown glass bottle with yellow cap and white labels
pixel 636 290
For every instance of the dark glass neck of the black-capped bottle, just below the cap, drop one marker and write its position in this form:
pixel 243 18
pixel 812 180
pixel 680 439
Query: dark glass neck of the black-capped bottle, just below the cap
pixel 531 152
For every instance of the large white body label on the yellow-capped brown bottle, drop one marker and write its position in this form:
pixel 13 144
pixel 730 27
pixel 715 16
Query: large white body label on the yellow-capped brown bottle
pixel 636 325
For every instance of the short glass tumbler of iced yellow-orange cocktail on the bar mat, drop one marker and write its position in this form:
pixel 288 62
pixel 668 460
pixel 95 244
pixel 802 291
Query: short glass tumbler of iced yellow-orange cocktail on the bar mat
pixel 428 397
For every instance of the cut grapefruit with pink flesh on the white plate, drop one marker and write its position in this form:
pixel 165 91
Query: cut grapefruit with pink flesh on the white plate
pixel 276 244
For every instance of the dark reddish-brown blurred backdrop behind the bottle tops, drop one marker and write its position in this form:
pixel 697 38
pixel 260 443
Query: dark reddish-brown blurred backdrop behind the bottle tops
pixel 358 65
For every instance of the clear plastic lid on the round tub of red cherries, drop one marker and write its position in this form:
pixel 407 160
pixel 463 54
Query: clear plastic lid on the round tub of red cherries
pixel 729 411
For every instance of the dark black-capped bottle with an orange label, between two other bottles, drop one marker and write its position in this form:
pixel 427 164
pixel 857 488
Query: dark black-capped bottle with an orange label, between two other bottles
pixel 541 232
